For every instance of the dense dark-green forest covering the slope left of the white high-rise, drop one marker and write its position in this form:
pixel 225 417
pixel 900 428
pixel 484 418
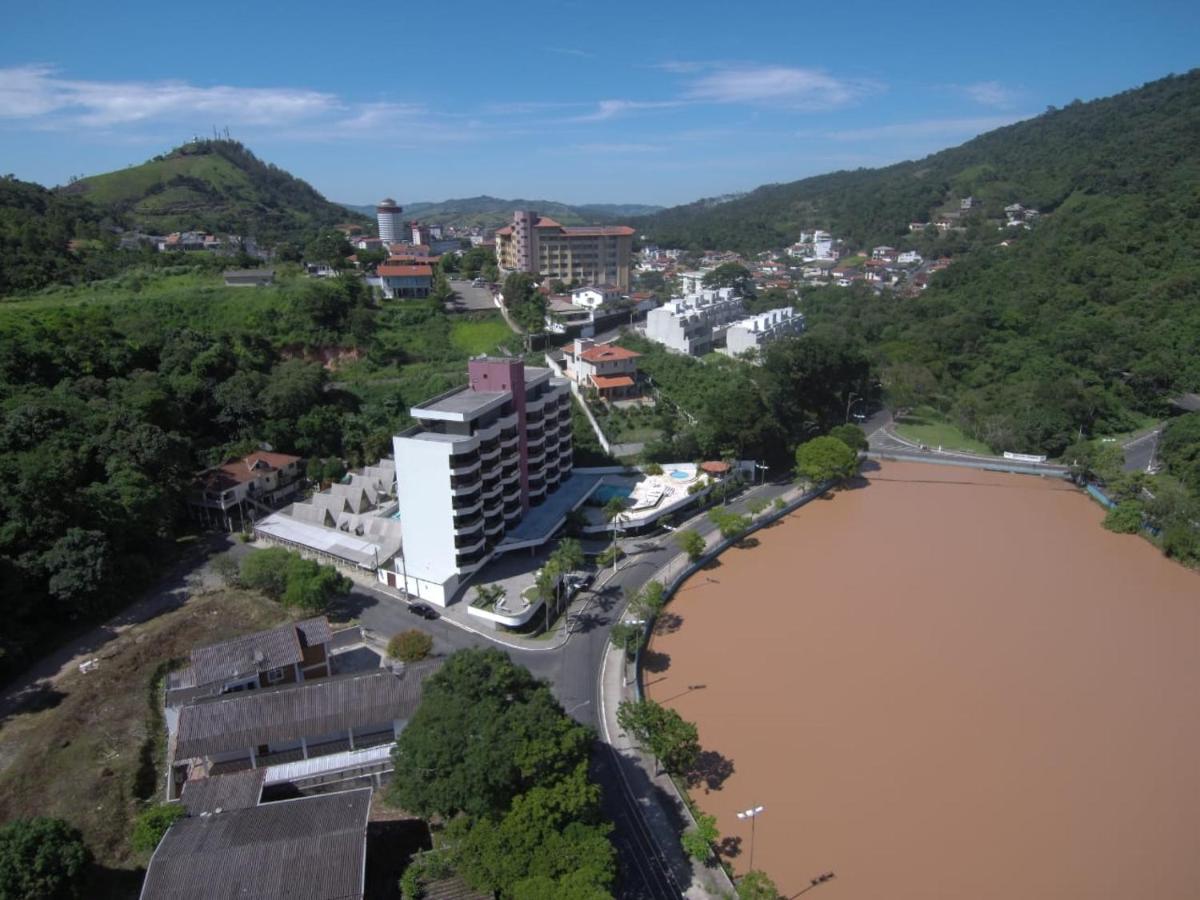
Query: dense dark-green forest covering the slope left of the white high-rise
pixel 113 395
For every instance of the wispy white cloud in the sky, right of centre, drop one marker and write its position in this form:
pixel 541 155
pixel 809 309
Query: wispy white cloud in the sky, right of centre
pixel 779 86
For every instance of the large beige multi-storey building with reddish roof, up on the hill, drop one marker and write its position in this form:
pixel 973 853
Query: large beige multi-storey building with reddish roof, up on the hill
pixel 591 255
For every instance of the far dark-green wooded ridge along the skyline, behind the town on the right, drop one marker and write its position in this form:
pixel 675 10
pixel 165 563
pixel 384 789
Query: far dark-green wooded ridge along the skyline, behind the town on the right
pixel 1120 146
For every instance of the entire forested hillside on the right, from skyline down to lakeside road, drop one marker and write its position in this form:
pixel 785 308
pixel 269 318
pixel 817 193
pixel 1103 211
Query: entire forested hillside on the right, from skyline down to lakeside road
pixel 1085 325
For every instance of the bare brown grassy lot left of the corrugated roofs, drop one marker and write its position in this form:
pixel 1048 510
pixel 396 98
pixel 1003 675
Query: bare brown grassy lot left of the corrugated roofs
pixel 89 751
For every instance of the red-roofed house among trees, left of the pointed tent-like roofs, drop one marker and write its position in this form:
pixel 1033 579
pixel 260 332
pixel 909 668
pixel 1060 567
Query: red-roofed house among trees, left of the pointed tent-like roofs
pixel 262 479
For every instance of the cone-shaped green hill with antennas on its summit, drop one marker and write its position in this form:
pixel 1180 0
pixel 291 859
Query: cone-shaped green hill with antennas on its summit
pixel 217 187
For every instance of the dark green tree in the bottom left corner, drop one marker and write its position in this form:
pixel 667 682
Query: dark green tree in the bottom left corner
pixel 41 860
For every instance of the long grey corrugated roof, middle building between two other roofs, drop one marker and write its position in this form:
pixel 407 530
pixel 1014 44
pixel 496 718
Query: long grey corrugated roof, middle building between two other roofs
pixel 237 722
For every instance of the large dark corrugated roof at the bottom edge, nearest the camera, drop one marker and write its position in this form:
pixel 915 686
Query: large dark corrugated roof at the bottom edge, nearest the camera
pixel 310 849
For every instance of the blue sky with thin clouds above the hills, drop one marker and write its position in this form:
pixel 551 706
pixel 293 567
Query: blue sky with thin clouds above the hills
pixel 583 103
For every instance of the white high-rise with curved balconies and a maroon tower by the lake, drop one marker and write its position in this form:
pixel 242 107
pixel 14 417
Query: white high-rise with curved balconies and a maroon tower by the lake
pixel 476 464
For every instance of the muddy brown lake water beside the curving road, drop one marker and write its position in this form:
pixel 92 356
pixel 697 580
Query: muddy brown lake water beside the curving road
pixel 949 685
